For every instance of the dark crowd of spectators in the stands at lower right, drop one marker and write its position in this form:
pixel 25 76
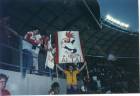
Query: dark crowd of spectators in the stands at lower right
pixel 110 79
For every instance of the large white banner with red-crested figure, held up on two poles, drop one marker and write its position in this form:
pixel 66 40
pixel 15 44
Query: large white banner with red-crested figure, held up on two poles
pixel 68 47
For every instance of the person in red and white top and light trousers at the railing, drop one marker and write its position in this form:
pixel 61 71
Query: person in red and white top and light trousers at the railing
pixel 34 38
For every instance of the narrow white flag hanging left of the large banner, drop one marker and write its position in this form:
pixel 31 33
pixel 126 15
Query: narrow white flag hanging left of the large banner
pixel 50 58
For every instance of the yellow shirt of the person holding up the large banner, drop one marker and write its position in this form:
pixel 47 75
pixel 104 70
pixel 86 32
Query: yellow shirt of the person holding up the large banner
pixel 71 77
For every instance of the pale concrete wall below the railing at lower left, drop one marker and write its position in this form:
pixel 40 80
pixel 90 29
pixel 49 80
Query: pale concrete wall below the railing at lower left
pixel 32 84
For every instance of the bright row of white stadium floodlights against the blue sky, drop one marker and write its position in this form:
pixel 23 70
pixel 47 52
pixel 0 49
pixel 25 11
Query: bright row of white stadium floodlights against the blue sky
pixel 115 21
